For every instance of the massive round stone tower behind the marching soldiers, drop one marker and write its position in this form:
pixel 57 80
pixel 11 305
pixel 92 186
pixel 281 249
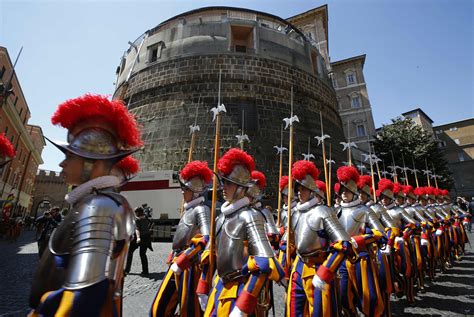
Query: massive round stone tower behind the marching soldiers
pixel 169 79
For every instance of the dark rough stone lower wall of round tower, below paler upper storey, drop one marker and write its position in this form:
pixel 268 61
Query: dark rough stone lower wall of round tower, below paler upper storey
pixel 165 96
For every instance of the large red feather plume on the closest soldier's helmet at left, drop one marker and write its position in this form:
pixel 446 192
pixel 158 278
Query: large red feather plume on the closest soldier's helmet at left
pixel 91 107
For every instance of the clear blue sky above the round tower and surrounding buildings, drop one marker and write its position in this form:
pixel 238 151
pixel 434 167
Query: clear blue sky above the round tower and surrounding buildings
pixel 419 53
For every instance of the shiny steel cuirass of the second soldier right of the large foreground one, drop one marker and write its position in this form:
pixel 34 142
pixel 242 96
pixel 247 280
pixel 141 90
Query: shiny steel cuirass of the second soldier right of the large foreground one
pixel 238 235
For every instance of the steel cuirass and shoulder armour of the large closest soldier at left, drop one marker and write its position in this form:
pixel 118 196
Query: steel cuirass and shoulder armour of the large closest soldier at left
pixel 88 236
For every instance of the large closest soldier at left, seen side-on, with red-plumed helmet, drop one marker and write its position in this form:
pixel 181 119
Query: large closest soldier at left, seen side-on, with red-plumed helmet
pixel 81 272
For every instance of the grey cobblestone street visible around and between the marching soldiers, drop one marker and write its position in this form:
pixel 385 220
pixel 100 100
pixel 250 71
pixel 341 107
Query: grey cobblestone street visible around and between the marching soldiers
pixel 452 293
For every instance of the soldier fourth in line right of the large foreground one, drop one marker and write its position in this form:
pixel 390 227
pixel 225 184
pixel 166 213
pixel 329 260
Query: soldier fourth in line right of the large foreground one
pixel 359 281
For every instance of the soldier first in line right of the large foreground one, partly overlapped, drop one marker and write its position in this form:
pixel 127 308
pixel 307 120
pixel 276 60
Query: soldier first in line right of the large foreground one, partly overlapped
pixel 189 262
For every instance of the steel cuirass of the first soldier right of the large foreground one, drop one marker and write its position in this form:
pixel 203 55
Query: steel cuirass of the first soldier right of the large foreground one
pixel 195 220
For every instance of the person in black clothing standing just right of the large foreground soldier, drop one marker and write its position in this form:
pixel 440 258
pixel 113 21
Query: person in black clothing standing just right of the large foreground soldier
pixel 142 240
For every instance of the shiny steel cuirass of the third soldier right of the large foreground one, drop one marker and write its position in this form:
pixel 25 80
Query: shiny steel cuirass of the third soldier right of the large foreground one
pixel 315 228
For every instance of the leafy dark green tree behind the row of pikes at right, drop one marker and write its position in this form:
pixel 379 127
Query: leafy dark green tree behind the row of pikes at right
pixel 409 142
